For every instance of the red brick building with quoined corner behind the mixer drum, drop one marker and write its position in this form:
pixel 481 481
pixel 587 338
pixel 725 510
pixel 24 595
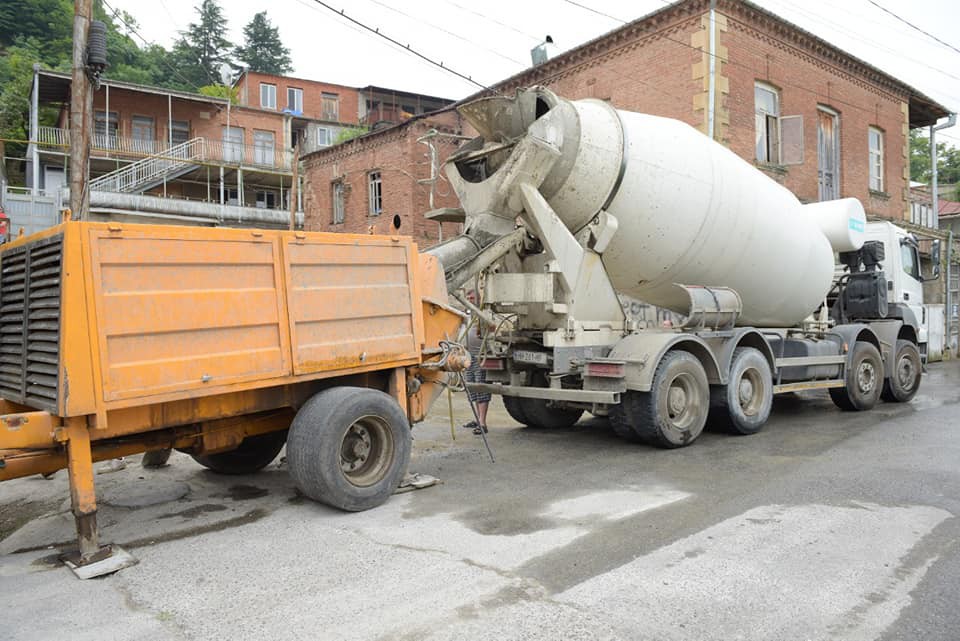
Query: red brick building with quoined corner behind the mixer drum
pixel 818 120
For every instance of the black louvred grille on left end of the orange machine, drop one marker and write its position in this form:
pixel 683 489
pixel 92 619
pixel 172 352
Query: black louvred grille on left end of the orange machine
pixel 30 279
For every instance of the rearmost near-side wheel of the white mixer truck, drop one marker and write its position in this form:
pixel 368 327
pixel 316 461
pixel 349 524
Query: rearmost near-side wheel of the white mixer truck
pixel 673 413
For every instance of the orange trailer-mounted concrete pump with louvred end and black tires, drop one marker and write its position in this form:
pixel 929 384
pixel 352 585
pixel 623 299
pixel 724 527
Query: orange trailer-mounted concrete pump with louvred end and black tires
pixel 223 343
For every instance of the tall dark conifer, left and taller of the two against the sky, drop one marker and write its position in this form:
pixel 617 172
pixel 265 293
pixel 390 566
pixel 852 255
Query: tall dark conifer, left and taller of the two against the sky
pixel 202 47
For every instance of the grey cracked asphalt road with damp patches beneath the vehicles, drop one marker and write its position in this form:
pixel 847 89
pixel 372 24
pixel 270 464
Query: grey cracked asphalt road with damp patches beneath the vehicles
pixel 827 525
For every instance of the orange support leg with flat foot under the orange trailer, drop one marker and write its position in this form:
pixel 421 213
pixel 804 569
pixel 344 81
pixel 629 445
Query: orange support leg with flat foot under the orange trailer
pixel 90 560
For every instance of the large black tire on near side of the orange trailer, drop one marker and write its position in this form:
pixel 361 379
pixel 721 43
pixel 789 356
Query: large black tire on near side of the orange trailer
pixel 349 447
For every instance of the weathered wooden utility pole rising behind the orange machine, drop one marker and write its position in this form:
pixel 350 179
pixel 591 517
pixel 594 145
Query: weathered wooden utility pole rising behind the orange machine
pixel 81 112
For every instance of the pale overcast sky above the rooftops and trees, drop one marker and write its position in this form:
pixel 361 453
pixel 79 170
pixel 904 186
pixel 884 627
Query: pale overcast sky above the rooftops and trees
pixel 491 40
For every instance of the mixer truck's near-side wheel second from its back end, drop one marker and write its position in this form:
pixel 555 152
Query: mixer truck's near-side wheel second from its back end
pixel 742 406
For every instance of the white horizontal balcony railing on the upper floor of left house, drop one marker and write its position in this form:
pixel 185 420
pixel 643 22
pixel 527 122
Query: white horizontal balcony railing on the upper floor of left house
pixel 217 151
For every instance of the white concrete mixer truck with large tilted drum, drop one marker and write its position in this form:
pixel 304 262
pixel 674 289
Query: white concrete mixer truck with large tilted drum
pixel 568 203
